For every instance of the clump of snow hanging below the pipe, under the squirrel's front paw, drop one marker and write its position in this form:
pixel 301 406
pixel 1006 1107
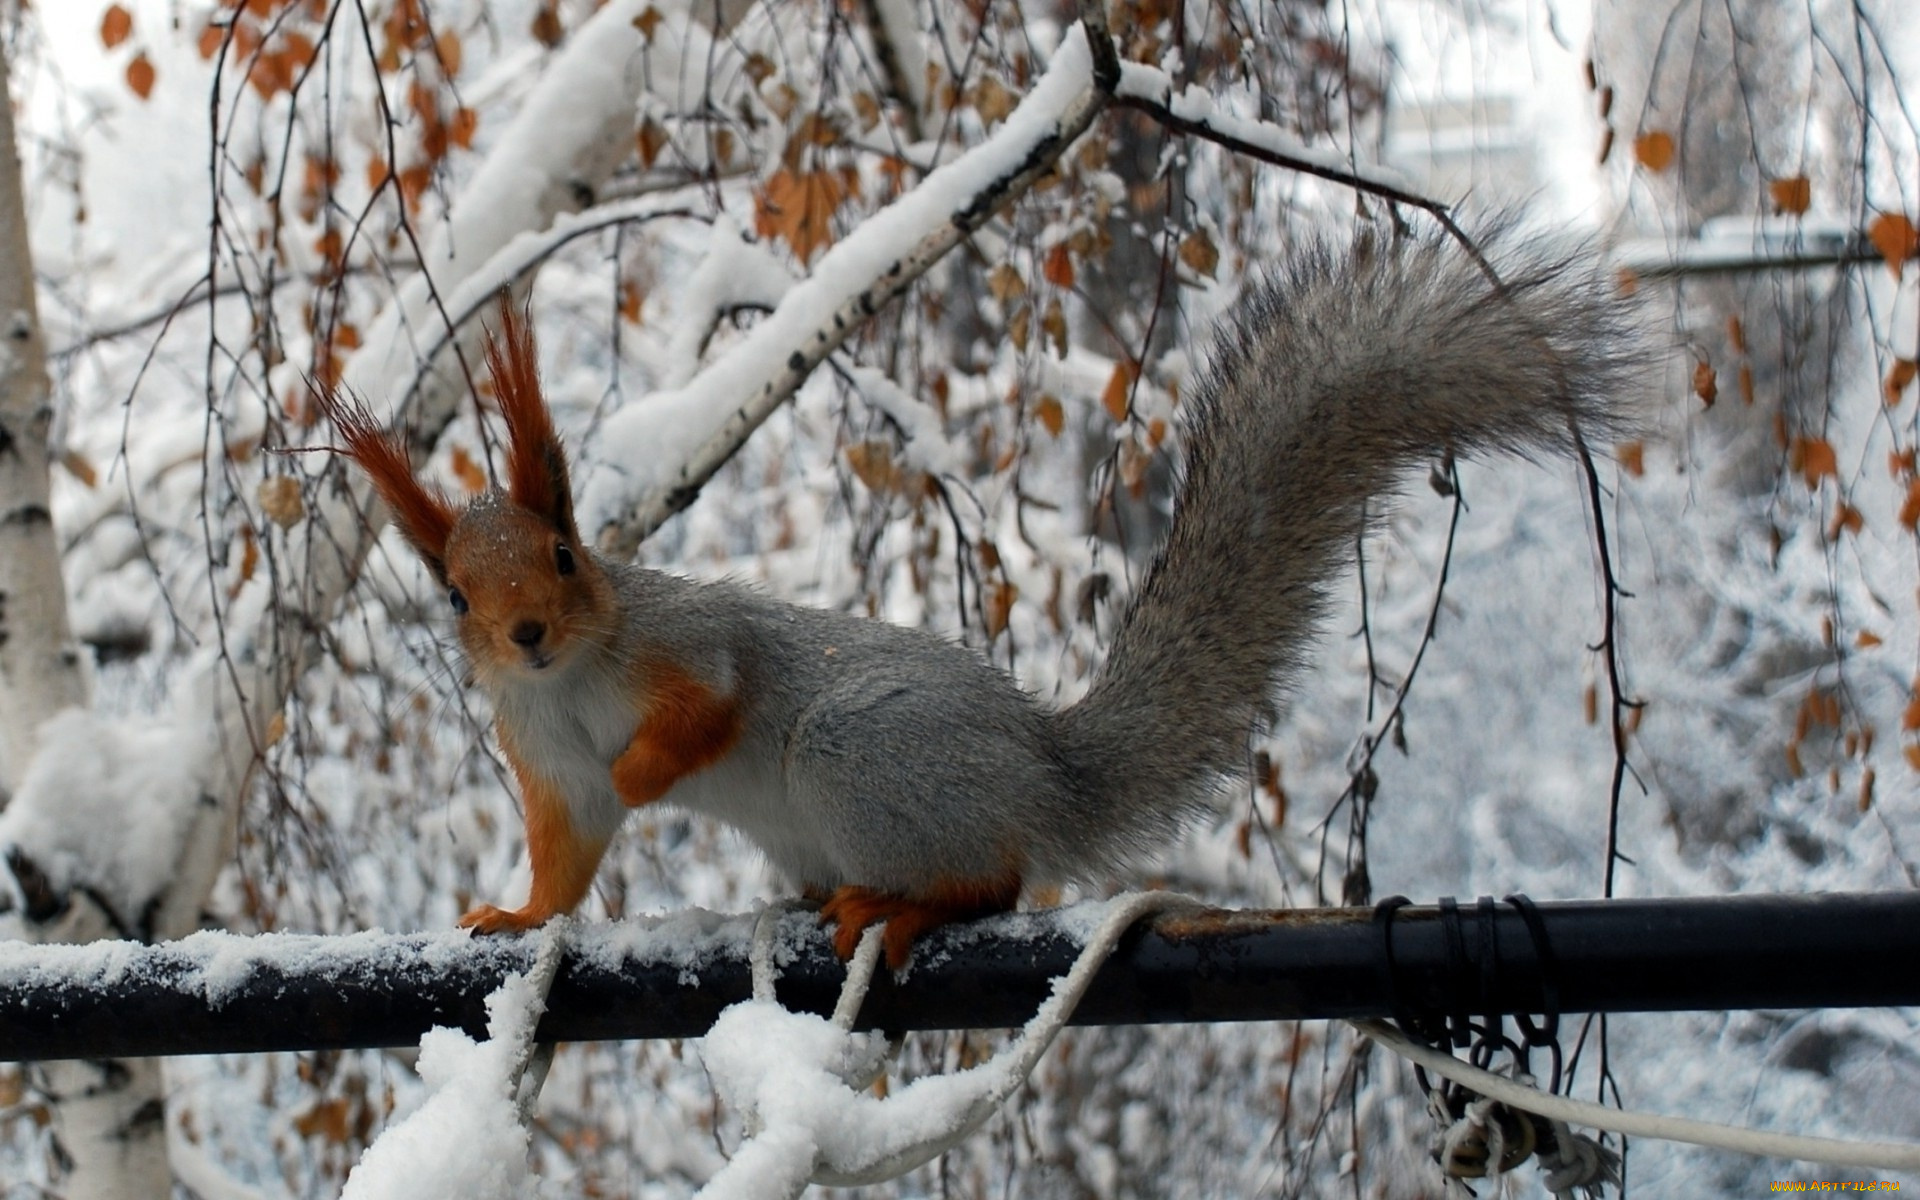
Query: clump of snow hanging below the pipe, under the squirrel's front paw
pixel 466 1141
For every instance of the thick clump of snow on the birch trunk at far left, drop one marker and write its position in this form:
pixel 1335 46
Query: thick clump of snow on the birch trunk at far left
pixel 107 804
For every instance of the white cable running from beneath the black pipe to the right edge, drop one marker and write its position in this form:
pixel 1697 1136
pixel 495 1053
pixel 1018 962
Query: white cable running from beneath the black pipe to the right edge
pixel 1888 1157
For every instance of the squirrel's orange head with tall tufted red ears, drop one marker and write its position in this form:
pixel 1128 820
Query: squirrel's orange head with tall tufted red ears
pixel 527 596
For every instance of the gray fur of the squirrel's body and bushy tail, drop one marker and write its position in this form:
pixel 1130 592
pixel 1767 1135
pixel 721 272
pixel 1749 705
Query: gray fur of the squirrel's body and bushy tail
pixel 892 759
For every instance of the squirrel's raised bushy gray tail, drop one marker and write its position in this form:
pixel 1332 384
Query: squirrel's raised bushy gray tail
pixel 1341 373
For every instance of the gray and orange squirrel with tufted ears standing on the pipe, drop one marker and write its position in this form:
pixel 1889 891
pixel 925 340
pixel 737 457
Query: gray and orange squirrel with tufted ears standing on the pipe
pixel 898 777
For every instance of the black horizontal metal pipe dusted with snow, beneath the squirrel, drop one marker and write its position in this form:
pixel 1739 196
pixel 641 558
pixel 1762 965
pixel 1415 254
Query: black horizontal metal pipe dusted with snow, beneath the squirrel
pixel 673 976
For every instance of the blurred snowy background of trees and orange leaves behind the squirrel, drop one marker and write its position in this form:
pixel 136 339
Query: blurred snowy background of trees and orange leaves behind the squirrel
pixel 961 466
